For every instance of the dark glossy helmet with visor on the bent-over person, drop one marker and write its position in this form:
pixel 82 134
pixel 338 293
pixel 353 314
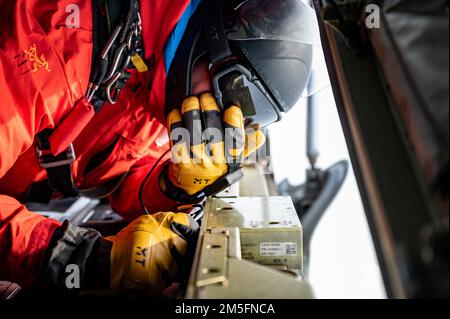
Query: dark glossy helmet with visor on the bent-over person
pixel 259 55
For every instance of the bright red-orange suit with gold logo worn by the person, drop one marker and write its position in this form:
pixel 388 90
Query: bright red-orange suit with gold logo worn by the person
pixel 44 70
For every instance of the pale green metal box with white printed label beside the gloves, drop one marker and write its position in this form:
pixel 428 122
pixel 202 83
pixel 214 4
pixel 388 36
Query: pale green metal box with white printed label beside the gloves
pixel 270 230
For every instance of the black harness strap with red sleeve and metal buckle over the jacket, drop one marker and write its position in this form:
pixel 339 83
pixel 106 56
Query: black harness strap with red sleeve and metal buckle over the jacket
pixel 55 150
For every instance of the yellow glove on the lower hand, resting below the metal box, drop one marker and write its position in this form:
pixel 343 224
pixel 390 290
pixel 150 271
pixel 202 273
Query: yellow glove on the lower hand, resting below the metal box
pixel 146 255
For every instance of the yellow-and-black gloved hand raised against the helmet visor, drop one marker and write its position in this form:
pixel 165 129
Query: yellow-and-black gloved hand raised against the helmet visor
pixel 209 157
